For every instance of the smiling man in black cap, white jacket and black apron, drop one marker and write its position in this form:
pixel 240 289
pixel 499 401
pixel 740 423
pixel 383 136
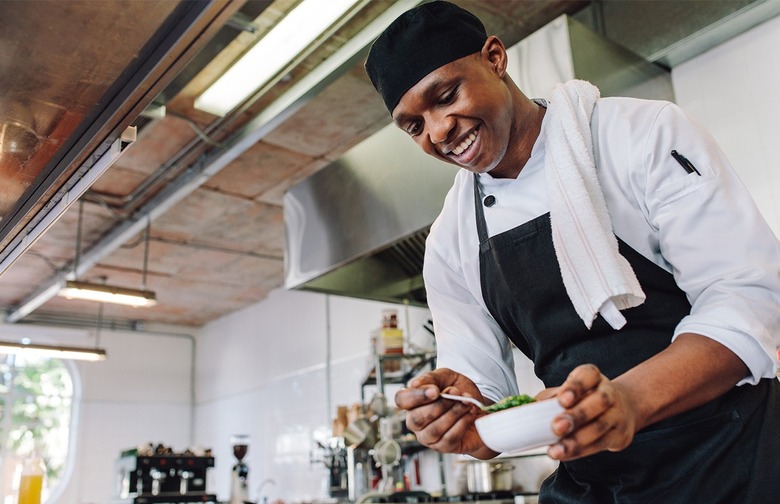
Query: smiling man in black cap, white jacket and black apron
pixel 611 242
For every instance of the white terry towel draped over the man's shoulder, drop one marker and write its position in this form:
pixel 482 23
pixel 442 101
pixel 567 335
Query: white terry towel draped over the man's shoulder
pixel 597 278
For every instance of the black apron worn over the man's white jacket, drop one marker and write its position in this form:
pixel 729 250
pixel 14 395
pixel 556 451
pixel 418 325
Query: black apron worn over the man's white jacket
pixel 725 451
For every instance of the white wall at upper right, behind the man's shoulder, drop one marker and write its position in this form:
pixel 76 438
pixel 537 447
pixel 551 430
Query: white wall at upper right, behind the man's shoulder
pixel 732 90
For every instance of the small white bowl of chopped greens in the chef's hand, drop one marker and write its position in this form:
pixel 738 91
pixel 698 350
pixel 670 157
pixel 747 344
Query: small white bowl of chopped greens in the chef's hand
pixel 520 428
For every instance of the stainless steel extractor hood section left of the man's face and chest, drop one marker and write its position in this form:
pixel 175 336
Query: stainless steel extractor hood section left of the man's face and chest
pixel 357 227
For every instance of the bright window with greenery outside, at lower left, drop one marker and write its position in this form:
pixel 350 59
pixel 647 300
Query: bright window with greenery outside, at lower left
pixel 36 402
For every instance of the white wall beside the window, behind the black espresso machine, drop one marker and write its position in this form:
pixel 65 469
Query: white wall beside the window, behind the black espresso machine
pixel 141 393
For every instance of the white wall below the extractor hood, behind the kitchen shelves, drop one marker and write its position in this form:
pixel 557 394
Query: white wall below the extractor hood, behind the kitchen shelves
pixel 263 371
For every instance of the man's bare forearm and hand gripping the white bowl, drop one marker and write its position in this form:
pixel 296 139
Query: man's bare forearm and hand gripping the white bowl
pixel 603 414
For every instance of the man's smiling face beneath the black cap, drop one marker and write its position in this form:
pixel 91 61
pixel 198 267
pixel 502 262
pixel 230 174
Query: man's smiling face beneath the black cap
pixel 461 113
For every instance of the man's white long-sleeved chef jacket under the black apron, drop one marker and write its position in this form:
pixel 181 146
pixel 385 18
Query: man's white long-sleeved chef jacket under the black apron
pixel 704 229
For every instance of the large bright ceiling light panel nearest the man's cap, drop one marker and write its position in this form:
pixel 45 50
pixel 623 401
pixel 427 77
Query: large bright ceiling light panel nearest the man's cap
pixel 287 40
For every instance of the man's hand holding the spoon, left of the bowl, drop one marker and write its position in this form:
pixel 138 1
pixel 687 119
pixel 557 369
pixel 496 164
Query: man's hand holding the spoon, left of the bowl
pixel 441 424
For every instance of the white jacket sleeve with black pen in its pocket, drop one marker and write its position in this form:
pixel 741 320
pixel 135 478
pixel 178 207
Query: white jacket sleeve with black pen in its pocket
pixel 719 247
